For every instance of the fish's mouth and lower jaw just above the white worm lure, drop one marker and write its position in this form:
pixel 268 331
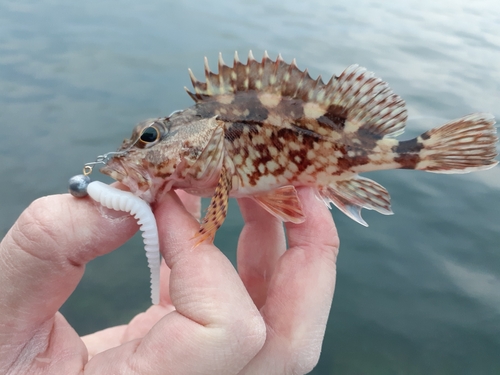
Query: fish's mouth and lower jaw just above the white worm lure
pixel 135 177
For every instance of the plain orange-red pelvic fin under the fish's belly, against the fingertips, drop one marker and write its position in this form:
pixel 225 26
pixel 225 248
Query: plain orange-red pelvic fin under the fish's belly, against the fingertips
pixel 283 203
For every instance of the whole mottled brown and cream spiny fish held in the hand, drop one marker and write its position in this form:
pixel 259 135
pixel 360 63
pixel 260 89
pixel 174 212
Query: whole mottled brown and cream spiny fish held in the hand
pixel 261 129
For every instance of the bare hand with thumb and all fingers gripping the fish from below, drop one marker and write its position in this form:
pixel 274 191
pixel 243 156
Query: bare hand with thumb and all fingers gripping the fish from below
pixel 268 318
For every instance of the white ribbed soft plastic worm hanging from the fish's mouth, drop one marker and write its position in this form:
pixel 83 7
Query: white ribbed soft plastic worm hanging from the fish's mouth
pixel 120 200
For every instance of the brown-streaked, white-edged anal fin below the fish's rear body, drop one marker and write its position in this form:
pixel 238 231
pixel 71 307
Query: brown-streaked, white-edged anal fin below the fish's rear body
pixel 354 194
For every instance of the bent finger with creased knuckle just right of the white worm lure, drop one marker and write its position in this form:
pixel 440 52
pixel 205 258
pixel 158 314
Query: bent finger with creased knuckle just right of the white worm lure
pixel 215 327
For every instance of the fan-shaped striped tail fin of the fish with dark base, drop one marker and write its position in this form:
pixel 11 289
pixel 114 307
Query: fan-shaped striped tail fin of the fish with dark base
pixel 464 145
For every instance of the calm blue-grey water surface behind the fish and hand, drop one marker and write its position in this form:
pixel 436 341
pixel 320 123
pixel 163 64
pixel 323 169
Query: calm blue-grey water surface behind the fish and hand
pixel 417 292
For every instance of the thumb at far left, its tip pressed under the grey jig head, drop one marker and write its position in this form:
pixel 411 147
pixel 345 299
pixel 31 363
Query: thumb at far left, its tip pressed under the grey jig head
pixel 43 256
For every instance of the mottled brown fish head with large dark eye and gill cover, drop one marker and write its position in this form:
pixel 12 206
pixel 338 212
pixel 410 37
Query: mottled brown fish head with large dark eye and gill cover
pixel 161 153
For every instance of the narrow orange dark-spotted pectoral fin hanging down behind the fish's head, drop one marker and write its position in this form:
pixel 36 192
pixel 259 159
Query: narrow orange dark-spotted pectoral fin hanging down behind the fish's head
pixel 217 210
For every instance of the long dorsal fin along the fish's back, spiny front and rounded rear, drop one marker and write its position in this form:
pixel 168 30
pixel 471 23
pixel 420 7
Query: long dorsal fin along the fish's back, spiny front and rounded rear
pixel 364 101
